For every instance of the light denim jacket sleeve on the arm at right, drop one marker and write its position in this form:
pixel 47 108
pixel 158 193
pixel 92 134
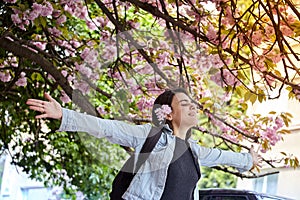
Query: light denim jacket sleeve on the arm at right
pixel 213 156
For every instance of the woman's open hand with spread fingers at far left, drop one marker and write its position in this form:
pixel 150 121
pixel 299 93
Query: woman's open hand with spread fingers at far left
pixel 49 109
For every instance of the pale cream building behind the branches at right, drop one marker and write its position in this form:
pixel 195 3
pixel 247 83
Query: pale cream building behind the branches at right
pixel 283 180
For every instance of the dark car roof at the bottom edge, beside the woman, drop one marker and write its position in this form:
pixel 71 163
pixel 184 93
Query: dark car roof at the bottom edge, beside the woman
pixel 235 194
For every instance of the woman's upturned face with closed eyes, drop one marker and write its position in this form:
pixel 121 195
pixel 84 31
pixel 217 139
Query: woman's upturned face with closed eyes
pixel 184 111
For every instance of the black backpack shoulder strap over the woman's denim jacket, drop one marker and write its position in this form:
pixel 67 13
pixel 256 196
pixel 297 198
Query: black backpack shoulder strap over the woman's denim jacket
pixel 148 146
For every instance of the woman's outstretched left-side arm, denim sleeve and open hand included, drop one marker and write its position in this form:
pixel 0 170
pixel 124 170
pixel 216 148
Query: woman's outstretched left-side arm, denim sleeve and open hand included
pixel 115 131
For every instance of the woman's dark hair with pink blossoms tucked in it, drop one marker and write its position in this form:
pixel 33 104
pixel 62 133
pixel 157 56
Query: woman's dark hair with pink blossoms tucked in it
pixel 166 98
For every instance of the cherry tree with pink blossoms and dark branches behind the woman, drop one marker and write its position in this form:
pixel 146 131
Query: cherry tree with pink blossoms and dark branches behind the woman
pixel 111 58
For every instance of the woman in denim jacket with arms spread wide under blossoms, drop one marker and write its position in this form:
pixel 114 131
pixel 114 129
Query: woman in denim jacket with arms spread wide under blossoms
pixel 172 169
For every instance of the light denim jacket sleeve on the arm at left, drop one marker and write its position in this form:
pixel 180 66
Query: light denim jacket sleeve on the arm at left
pixel 117 132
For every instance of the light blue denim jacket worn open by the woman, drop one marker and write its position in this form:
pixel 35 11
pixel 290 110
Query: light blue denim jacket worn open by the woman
pixel 150 180
